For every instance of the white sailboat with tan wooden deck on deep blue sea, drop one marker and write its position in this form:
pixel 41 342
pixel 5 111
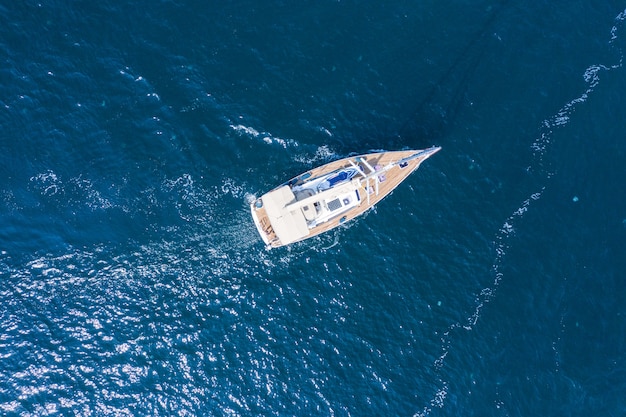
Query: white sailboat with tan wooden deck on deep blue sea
pixel 327 196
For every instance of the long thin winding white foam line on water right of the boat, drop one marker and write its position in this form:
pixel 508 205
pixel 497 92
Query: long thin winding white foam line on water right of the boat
pixel 540 147
